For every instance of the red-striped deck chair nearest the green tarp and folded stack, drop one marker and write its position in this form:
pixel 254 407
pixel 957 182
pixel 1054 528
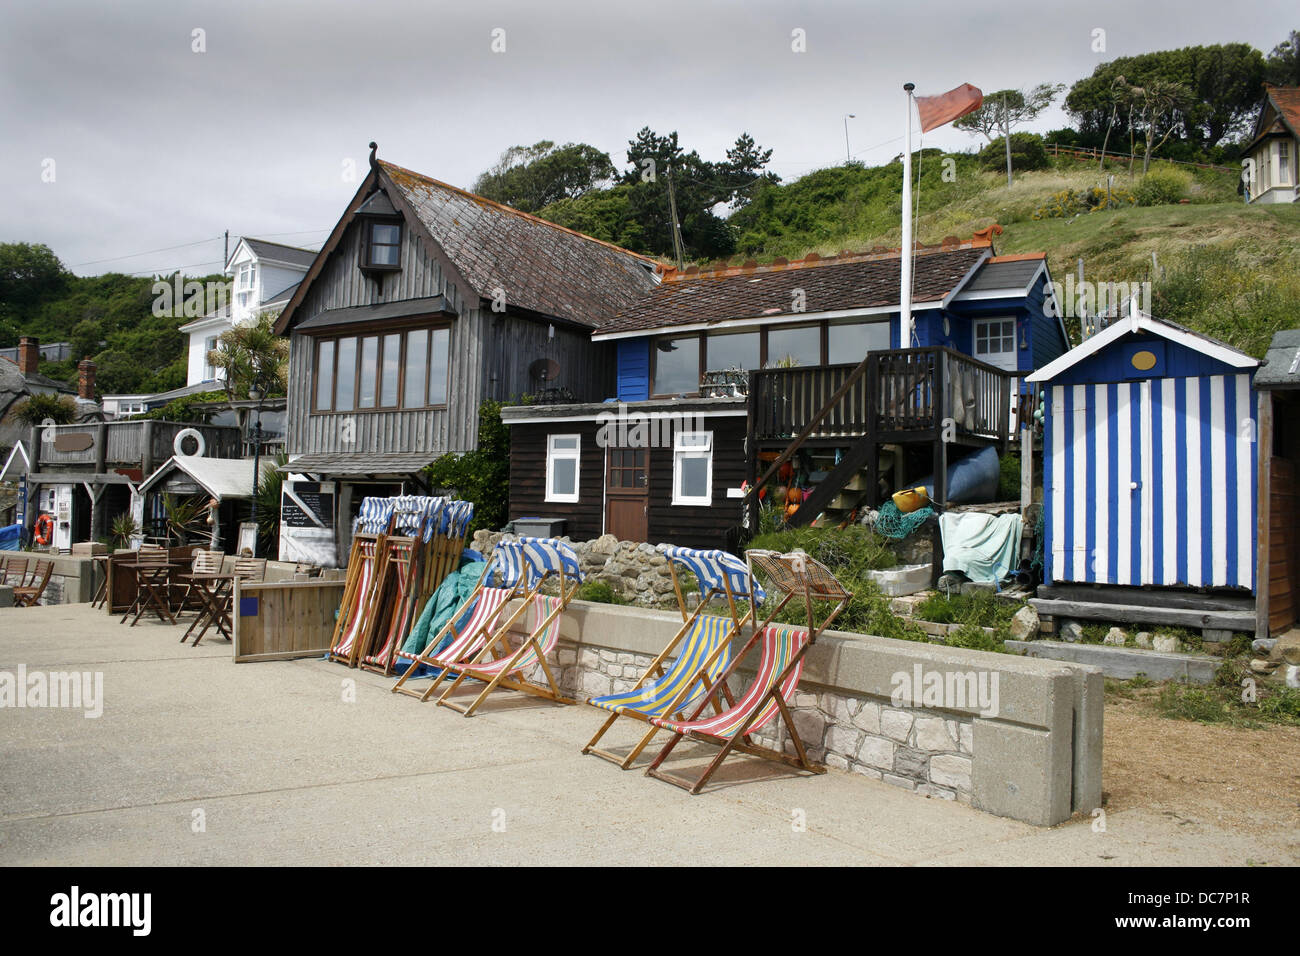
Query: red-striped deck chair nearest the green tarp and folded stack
pixel 476 621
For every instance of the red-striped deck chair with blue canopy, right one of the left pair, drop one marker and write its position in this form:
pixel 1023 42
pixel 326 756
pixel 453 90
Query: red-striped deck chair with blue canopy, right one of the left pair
pixel 501 665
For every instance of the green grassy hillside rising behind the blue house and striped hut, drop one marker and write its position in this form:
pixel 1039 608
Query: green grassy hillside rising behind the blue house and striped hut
pixel 1227 269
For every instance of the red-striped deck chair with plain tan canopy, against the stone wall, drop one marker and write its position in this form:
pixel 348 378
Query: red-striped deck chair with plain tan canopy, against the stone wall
pixel 781 665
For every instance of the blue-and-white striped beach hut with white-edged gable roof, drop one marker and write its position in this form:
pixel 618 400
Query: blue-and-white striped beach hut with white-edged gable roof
pixel 1150 460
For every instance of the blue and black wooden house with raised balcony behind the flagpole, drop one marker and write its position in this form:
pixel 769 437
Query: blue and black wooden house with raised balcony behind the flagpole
pixel 738 373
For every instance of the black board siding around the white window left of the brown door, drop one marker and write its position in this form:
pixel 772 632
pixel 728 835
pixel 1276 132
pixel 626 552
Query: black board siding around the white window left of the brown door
pixel 528 478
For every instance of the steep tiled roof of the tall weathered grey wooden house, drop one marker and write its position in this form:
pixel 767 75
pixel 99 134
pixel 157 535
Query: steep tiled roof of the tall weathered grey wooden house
pixel 539 266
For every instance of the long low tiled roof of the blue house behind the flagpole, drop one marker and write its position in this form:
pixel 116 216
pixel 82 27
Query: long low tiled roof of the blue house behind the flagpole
pixel 846 283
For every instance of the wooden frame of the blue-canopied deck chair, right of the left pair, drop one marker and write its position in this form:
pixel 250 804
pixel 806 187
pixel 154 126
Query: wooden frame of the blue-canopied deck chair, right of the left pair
pixel 501 677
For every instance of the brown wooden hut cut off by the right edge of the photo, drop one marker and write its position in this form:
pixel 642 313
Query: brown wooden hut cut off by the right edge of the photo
pixel 1279 462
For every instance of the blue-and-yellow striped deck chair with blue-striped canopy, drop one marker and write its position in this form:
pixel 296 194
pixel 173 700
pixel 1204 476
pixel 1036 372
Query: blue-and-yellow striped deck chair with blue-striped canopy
pixel 705 648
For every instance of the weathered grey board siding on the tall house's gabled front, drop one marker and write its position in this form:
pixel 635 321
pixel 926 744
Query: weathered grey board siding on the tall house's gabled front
pixel 341 285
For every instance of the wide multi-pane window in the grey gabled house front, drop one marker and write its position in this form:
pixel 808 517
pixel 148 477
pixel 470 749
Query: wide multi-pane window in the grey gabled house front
pixel 383 371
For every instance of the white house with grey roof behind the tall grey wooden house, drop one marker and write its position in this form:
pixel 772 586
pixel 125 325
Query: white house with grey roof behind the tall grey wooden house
pixel 265 276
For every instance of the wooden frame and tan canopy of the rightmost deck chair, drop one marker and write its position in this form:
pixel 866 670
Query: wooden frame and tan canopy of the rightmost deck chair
pixel 794 576
